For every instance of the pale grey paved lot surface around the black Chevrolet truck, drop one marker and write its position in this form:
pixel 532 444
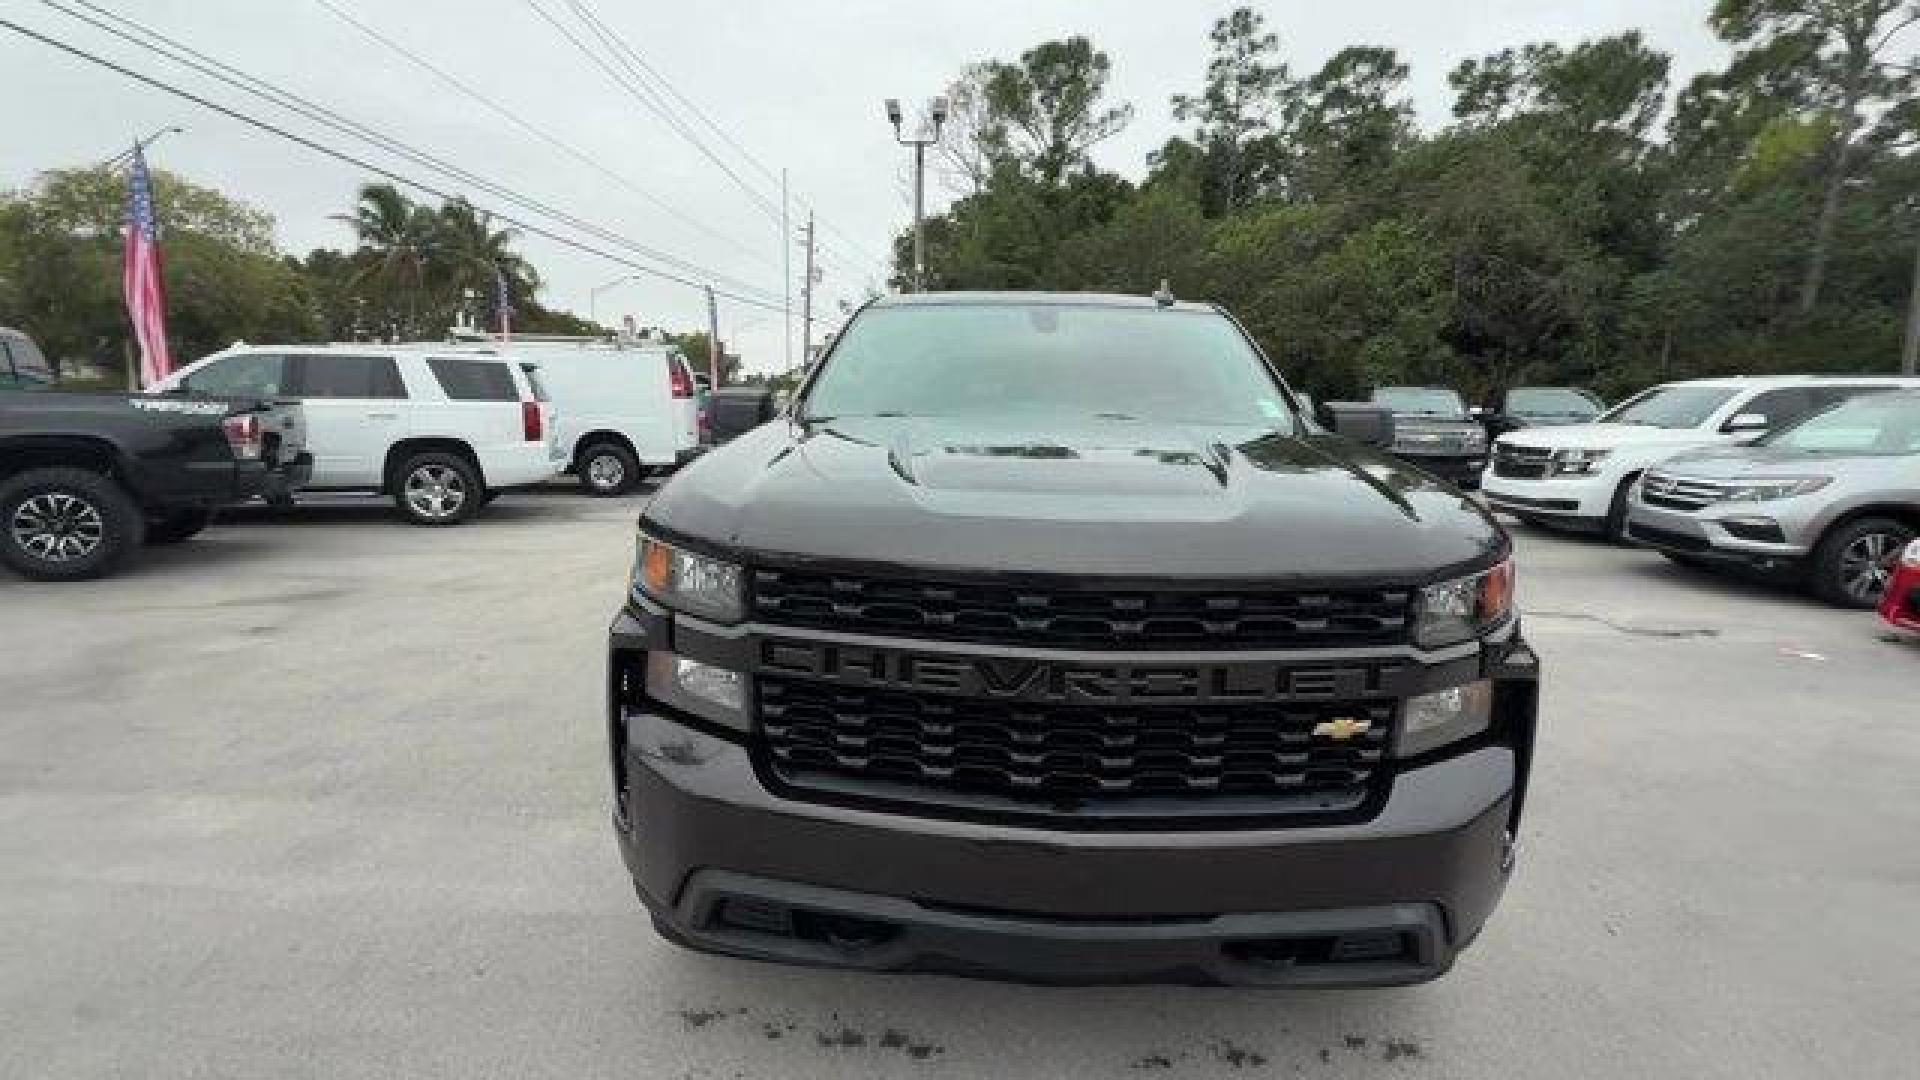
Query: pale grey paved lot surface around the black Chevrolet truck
pixel 322 795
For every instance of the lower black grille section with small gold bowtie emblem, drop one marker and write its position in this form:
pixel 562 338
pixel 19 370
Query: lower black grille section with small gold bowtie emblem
pixel 1095 760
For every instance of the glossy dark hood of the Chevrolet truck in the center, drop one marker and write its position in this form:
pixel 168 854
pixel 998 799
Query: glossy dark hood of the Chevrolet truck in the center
pixel 1111 499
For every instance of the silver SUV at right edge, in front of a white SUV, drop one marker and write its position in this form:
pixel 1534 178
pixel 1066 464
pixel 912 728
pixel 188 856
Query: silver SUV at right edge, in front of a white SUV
pixel 1833 499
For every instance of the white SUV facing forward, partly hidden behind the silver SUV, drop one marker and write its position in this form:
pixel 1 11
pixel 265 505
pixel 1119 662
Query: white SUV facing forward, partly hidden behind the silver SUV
pixel 1579 476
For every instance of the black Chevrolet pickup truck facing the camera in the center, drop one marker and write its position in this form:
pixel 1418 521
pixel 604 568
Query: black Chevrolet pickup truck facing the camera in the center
pixel 1047 641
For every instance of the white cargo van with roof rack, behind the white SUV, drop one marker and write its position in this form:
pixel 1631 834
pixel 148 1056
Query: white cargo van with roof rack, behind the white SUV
pixel 629 406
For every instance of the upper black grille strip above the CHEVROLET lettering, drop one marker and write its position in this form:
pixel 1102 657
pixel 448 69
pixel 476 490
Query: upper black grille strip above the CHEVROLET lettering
pixel 1003 614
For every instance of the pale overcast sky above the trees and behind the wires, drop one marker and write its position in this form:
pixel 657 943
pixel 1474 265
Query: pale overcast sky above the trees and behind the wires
pixel 798 84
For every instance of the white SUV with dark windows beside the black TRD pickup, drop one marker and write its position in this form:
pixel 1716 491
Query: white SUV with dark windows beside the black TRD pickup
pixel 441 433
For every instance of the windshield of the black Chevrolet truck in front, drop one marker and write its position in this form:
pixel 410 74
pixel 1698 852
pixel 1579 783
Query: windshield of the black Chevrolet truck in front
pixel 1047 360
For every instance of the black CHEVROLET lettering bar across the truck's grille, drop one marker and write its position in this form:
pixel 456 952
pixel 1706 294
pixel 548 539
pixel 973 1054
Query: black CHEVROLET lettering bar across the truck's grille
pixel 1022 679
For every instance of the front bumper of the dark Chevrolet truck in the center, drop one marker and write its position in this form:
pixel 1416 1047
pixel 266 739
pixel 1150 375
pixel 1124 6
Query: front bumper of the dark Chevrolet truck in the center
pixel 729 866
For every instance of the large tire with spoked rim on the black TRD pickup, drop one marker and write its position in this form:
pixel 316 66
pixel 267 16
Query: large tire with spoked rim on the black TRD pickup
pixel 66 526
